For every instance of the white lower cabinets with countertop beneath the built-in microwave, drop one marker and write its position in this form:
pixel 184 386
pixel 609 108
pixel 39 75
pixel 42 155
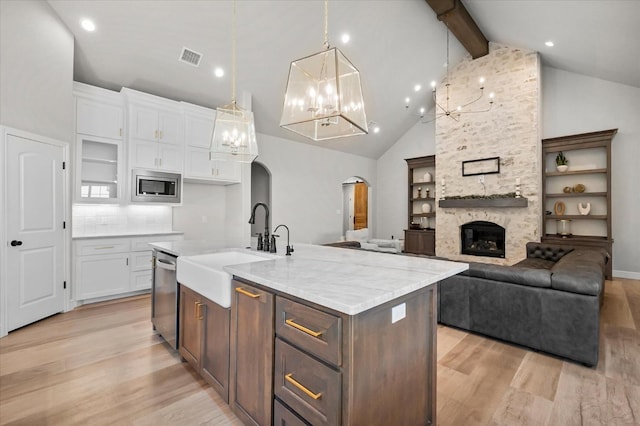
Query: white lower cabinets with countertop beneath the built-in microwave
pixel 113 266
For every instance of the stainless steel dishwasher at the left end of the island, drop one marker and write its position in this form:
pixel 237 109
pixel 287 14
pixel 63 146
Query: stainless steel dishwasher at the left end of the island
pixel 164 297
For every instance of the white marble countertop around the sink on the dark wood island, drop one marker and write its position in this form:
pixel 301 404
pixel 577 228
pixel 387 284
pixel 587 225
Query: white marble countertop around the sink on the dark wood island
pixel 348 281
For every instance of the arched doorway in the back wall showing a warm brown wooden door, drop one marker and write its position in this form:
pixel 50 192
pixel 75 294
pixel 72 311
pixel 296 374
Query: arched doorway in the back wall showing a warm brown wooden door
pixel 355 196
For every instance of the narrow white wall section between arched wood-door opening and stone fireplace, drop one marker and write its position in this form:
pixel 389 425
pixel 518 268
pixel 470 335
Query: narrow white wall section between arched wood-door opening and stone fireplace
pixel 392 193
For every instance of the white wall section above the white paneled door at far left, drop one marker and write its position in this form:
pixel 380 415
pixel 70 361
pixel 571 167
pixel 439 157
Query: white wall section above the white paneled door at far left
pixel 36 70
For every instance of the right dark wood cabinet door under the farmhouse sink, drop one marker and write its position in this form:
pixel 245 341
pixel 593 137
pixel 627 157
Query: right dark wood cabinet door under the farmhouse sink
pixel 215 347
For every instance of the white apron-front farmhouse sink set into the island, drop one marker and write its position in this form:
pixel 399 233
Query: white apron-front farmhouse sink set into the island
pixel 205 275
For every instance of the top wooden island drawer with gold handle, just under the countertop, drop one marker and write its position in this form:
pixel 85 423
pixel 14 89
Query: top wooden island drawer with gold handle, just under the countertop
pixel 314 331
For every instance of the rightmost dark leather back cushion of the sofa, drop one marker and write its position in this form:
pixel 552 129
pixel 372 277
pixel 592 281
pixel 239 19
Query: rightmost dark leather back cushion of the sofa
pixel 581 271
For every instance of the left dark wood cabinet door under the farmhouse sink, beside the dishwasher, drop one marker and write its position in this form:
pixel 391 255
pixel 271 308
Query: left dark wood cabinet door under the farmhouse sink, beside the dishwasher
pixel 190 326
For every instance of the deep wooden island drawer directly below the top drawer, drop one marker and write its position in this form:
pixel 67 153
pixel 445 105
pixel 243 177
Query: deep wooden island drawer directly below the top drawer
pixel 308 386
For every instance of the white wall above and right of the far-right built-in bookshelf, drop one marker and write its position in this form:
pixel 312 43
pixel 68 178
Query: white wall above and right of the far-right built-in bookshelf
pixel 573 103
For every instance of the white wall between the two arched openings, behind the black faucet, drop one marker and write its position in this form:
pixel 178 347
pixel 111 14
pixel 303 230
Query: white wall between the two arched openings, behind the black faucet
pixel 306 187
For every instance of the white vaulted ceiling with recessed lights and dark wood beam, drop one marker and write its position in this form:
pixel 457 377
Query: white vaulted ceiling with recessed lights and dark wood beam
pixel 396 44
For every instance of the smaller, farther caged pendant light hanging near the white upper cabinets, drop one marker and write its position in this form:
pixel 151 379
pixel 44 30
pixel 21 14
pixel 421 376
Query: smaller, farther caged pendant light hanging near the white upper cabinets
pixel 234 134
